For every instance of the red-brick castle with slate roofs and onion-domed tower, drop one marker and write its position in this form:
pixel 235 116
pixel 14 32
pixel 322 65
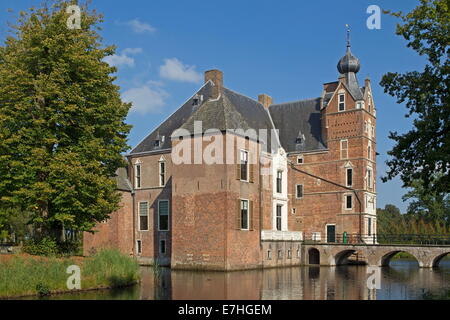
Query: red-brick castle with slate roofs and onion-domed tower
pixel 229 183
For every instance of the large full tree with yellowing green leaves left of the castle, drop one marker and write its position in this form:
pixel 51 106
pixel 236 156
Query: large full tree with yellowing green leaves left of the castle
pixel 62 122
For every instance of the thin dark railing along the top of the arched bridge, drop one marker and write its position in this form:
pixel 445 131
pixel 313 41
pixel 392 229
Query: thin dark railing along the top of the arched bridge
pixel 416 239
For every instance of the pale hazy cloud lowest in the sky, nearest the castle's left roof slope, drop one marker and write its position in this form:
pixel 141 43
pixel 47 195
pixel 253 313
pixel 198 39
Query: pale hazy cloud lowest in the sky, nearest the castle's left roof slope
pixel 146 99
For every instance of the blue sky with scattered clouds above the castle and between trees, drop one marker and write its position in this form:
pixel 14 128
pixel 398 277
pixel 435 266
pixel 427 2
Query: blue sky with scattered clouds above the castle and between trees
pixel 286 49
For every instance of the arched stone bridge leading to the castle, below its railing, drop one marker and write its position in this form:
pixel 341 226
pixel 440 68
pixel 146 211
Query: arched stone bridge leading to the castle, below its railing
pixel 428 256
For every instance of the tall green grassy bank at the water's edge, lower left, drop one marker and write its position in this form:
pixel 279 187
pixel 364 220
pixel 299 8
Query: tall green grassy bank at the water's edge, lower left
pixel 30 275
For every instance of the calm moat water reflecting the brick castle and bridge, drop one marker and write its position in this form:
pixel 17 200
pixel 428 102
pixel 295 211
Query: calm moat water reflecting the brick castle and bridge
pixel 402 280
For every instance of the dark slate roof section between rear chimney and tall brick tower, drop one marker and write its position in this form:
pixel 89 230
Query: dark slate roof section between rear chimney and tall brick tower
pixel 299 120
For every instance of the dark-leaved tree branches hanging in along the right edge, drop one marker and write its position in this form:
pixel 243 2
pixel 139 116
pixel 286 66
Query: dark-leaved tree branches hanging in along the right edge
pixel 424 151
